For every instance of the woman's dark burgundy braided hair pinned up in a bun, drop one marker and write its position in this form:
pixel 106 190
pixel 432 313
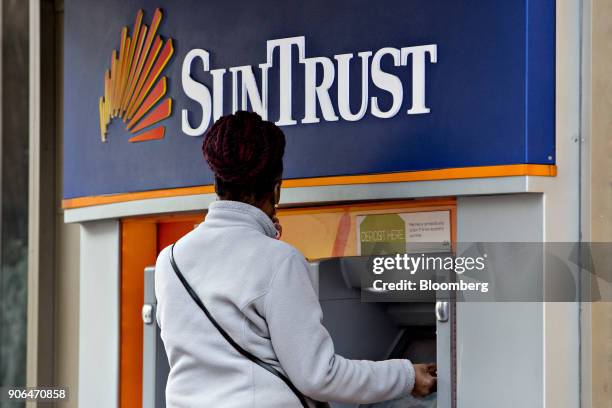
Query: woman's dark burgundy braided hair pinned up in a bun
pixel 243 149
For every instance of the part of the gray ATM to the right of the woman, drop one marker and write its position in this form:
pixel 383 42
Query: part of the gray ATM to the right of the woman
pixel 420 329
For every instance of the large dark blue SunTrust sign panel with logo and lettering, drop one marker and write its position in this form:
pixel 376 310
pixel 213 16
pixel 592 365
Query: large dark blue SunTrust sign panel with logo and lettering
pixel 428 84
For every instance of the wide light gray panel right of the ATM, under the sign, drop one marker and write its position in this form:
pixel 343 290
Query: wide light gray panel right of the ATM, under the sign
pixel 498 343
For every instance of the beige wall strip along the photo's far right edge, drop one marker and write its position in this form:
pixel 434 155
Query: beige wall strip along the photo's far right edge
pixel 598 200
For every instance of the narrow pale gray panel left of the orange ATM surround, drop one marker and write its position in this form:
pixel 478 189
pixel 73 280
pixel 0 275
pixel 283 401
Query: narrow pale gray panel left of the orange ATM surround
pixel 99 315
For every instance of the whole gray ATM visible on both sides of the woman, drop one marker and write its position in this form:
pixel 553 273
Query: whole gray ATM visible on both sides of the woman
pixel 421 330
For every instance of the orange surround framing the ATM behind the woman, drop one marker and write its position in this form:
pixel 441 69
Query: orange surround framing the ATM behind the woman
pixel 143 238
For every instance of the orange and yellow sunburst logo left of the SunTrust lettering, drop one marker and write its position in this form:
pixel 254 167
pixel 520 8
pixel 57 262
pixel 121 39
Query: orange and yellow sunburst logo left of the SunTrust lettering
pixel 131 86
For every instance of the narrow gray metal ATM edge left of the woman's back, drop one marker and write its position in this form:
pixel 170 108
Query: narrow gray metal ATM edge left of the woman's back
pixel 155 366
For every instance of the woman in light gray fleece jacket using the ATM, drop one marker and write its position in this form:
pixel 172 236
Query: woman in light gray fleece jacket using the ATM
pixel 239 317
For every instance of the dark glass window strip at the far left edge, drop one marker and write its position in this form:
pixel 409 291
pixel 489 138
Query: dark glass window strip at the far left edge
pixel 14 194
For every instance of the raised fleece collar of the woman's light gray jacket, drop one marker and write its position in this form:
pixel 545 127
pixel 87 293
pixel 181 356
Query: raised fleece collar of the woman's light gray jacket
pixel 226 210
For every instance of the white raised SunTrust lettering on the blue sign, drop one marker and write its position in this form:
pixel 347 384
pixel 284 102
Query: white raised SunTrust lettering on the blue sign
pixel 333 73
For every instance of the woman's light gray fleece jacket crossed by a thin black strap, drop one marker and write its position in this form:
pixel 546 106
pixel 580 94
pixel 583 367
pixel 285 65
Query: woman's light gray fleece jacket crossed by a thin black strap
pixel 259 290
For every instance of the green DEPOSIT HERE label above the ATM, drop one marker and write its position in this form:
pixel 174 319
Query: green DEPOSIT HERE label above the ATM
pixel 381 234
